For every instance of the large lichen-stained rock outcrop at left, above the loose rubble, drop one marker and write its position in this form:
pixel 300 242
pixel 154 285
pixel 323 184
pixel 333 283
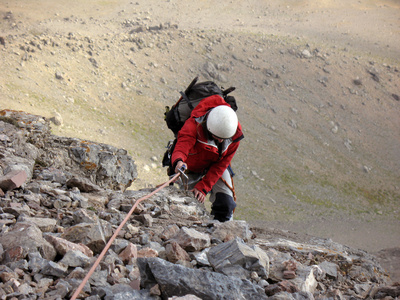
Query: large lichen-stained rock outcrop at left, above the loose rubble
pixel 29 136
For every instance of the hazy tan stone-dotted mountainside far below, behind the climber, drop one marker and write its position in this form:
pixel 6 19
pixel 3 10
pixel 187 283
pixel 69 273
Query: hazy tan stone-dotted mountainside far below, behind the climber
pixel 317 86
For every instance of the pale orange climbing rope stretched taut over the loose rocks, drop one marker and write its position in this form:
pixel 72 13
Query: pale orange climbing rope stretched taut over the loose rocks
pixel 96 263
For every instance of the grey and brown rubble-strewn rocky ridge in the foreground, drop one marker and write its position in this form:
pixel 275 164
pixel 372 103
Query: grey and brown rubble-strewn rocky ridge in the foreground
pixel 63 198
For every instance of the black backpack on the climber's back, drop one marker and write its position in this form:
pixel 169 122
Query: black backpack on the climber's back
pixel 176 116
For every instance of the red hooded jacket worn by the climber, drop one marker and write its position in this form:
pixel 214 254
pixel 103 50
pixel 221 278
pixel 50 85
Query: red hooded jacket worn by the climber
pixel 200 154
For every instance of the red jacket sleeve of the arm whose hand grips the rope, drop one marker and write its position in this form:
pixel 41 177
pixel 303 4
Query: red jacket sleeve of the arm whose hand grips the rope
pixel 186 140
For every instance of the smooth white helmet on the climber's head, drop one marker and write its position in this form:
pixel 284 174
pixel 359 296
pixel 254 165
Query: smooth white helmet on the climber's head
pixel 222 122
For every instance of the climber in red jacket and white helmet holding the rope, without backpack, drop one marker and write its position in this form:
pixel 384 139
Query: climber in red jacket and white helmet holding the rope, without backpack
pixel 205 147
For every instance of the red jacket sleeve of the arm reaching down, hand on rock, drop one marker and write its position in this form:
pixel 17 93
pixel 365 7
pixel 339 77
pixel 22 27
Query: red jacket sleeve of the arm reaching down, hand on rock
pixel 216 170
